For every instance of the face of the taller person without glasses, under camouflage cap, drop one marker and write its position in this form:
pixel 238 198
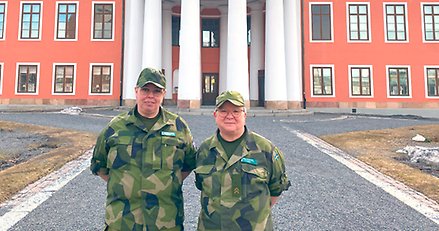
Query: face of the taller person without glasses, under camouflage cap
pixel 149 99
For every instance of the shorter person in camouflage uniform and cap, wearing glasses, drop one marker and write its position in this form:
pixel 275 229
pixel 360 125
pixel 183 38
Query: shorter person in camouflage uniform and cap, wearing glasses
pixel 240 173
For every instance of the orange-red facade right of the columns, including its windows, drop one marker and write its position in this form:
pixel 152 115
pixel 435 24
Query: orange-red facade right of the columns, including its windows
pixel 371 54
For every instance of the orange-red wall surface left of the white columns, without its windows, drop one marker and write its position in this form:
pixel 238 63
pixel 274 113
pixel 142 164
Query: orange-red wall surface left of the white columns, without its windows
pixel 47 51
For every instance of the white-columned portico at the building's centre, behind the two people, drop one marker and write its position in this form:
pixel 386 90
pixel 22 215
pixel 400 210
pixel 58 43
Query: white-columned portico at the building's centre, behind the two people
pixel 251 46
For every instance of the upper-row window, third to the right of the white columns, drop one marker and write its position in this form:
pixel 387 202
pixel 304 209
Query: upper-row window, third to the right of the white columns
pixel 395 23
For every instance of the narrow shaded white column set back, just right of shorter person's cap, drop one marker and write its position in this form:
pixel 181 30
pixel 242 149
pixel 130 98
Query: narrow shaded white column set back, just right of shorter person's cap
pixel 256 48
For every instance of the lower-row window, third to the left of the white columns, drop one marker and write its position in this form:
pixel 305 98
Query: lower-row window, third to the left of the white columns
pixel 27 79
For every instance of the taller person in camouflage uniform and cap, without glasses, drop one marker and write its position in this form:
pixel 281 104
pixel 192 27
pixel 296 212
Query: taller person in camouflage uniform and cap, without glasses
pixel 144 155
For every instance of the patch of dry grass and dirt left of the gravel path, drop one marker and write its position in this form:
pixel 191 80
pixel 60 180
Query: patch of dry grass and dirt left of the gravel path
pixel 30 152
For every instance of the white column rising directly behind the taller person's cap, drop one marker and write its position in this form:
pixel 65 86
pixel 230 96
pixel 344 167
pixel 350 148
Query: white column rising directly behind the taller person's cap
pixel 152 34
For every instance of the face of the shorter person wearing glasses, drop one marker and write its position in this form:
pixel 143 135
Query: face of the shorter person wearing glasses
pixel 230 119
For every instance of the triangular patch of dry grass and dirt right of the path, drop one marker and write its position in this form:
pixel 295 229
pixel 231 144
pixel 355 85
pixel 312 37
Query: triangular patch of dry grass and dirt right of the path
pixel 378 149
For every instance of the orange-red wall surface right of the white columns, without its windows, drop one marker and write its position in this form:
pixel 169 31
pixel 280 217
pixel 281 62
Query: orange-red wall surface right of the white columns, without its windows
pixel 377 53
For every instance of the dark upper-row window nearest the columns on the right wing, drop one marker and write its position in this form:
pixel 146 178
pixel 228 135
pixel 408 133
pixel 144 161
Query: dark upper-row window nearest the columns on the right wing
pixel 321 24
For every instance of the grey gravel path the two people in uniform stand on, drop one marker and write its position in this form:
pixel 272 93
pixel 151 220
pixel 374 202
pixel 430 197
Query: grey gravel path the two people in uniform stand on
pixel 324 195
